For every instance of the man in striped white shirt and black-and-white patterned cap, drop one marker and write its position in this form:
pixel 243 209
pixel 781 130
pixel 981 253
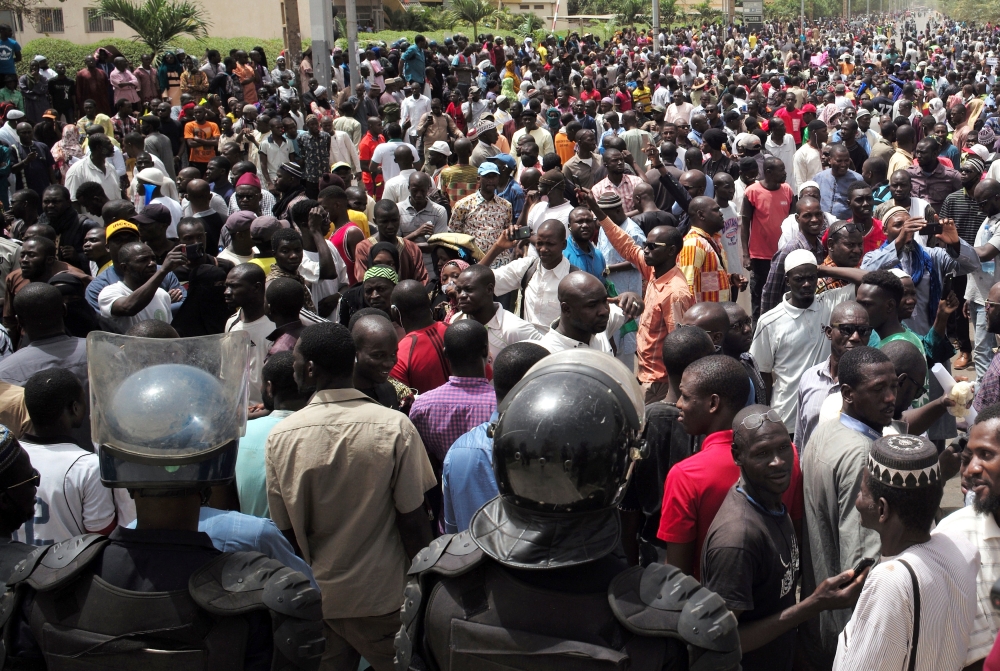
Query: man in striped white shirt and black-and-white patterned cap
pixel 918 605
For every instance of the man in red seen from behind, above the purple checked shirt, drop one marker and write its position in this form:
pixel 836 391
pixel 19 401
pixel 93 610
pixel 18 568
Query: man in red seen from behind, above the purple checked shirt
pixel 420 359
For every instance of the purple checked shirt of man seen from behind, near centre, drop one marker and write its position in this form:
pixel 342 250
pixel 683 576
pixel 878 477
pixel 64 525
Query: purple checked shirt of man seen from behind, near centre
pixel 444 414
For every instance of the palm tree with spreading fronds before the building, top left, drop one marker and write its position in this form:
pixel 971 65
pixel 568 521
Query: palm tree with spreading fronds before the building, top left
pixel 158 22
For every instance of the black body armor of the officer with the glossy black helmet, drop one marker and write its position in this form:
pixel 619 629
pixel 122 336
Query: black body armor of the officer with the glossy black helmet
pixel 464 611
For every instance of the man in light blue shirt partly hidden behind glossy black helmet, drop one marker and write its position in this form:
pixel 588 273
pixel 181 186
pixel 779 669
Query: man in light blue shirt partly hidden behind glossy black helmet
pixel 467 478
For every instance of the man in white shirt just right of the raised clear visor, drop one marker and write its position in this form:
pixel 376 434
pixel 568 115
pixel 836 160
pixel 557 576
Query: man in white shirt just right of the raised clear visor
pixel 245 292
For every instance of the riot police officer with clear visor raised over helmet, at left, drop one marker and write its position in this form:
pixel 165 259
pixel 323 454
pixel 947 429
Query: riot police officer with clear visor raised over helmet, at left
pixel 167 416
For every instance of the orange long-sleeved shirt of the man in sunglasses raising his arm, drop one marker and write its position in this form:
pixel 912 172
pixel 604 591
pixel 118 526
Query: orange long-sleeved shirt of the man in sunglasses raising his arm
pixel 666 300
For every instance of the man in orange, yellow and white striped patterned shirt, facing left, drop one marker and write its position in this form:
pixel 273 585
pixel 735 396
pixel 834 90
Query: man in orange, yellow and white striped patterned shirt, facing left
pixel 701 258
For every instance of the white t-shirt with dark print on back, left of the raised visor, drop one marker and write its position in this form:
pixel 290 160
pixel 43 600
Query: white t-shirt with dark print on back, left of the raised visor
pixel 71 499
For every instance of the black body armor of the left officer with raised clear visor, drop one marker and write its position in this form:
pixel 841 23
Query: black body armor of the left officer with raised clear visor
pixel 82 623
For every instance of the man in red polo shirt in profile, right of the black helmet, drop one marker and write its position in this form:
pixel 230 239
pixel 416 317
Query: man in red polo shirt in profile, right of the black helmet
pixel 713 390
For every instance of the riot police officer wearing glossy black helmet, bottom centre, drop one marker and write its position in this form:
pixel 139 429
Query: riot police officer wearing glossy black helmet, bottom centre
pixel 539 581
